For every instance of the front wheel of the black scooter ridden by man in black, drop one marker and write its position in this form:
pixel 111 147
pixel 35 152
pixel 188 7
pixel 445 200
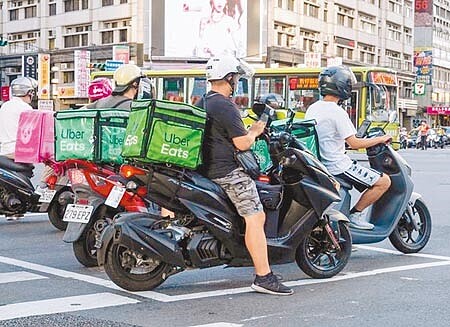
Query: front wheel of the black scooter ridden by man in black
pixel 318 257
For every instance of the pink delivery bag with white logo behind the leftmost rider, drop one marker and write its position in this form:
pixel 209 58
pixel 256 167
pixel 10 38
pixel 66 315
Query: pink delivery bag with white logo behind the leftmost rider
pixel 35 137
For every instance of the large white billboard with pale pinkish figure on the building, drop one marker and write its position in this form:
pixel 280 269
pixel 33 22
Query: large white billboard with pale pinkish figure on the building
pixel 205 28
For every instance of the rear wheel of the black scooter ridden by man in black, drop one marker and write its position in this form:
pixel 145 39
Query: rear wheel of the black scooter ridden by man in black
pixel 133 271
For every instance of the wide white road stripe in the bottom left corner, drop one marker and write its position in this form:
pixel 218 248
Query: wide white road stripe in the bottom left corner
pixel 64 304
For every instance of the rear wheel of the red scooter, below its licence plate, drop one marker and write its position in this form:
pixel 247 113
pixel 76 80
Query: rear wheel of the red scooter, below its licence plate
pixel 84 248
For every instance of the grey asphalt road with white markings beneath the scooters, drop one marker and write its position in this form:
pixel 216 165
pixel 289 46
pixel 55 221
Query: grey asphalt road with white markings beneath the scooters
pixel 42 284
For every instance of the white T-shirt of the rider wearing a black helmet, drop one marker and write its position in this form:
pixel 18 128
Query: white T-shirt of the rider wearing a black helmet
pixel 333 127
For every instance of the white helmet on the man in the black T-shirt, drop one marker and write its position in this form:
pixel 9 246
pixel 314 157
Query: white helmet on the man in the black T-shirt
pixel 219 67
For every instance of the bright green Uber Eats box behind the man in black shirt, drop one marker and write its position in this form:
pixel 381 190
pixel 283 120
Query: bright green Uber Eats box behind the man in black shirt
pixel 165 132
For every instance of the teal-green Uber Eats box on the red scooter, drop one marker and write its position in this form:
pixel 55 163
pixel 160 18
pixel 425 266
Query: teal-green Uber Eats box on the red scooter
pixel 92 134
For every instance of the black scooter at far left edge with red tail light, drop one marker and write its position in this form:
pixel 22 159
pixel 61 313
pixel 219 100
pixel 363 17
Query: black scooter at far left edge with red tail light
pixel 18 196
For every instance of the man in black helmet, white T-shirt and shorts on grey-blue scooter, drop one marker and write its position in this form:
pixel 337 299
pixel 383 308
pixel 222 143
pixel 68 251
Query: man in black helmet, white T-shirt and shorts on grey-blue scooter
pixel 334 129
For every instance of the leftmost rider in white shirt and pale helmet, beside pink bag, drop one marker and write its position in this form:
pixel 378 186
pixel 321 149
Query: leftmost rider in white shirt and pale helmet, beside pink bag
pixel 23 91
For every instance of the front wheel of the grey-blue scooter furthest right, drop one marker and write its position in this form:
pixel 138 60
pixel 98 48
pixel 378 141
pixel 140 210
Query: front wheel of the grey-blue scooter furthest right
pixel 405 238
